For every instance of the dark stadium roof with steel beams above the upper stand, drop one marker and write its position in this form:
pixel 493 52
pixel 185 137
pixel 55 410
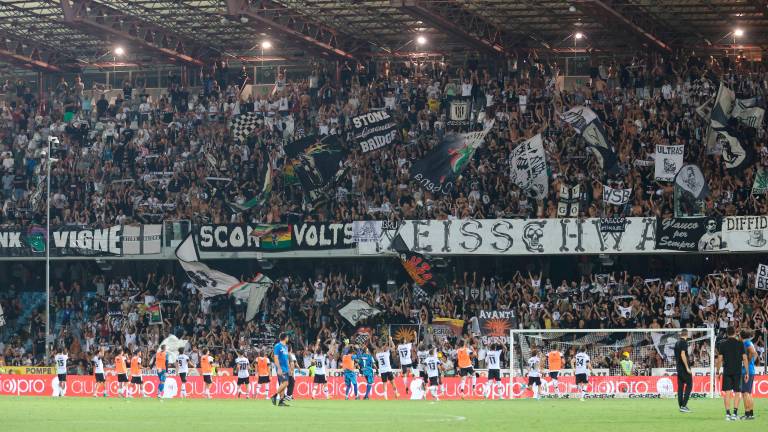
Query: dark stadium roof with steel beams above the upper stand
pixel 56 35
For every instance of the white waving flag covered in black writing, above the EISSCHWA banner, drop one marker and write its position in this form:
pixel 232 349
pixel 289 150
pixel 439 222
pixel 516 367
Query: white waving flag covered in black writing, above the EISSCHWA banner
pixel 528 167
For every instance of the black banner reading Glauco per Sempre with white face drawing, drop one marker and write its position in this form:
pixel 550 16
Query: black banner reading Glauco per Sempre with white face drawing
pixel 690 234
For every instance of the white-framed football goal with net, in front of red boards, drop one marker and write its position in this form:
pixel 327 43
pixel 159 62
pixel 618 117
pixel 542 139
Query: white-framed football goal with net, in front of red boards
pixel 647 370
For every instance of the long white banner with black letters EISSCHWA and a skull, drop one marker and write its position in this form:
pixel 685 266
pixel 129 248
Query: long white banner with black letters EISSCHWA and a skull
pixel 518 237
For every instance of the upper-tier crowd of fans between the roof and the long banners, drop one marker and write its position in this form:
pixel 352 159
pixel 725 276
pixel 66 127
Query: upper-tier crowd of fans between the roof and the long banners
pixel 136 157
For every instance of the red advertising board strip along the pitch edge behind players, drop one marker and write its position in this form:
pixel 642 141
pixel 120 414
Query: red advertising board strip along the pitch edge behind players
pixel 226 387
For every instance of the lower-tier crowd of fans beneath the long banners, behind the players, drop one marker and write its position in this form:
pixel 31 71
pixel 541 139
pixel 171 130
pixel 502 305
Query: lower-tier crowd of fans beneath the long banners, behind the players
pixel 113 312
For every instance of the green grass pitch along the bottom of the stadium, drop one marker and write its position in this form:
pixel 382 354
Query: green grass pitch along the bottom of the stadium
pixel 114 415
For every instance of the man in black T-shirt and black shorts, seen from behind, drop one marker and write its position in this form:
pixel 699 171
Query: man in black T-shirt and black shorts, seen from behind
pixel 731 356
